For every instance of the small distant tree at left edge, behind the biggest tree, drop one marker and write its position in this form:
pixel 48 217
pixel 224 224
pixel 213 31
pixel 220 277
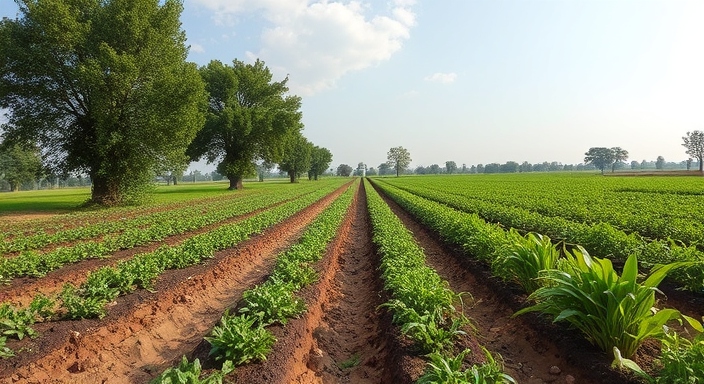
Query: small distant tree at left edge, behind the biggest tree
pixel 19 164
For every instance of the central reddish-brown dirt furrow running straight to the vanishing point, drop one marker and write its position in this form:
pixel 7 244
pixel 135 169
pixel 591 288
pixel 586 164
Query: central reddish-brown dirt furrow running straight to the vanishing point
pixel 342 338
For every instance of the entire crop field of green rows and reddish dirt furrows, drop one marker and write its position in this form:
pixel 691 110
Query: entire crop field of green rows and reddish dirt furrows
pixel 542 278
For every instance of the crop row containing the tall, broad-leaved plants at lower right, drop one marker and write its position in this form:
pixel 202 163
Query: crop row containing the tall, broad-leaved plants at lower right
pixel 615 313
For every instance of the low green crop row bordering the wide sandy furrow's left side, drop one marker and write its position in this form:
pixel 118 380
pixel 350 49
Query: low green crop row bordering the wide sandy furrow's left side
pixel 89 299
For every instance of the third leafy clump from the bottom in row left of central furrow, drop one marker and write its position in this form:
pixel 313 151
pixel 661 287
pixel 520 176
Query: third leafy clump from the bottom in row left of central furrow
pixel 272 303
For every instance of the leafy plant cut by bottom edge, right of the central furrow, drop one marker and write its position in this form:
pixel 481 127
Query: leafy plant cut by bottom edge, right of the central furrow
pixel 448 370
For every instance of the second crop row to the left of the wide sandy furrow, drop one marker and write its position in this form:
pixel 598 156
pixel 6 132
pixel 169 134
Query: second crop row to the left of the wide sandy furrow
pixel 36 264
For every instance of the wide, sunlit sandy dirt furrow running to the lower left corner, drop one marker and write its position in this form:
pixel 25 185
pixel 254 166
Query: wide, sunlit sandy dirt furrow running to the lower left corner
pixel 144 333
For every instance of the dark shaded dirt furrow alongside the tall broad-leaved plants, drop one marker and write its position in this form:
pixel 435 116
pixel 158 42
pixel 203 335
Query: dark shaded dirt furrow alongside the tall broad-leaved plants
pixel 529 347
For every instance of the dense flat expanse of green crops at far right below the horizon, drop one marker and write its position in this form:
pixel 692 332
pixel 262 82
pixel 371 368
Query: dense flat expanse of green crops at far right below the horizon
pixel 622 202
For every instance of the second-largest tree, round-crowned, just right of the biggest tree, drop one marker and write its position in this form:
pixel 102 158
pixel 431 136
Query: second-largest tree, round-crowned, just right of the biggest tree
pixel 249 118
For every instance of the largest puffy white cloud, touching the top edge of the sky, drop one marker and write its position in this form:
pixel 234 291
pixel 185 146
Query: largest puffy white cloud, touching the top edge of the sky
pixel 317 43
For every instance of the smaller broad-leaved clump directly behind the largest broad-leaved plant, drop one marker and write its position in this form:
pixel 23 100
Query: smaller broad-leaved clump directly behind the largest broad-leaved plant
pixel 522 258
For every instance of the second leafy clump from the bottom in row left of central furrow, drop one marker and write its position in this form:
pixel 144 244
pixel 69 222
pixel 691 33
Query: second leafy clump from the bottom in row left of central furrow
pixel 240 339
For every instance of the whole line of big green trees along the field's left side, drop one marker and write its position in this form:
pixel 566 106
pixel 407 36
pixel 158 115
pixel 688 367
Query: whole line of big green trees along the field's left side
pixel 103 89
